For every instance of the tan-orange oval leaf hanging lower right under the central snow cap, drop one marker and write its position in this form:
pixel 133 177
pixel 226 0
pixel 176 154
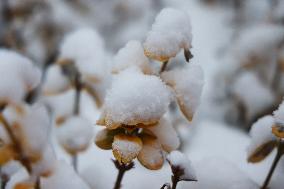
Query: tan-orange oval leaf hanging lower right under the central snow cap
pixel 151 155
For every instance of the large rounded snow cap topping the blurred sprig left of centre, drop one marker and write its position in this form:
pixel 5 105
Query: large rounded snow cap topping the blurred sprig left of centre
pixel 85 48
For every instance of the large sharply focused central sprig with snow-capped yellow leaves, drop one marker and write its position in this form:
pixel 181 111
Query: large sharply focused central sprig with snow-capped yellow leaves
pixel 134 109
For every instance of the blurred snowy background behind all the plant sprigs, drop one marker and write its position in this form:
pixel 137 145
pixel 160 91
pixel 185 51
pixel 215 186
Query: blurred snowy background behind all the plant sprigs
pixel 239 44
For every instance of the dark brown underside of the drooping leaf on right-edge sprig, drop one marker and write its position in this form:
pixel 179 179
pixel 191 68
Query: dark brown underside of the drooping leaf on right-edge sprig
pixel 262 152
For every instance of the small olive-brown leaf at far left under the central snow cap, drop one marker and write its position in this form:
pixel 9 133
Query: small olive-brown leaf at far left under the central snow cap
pixel 105 137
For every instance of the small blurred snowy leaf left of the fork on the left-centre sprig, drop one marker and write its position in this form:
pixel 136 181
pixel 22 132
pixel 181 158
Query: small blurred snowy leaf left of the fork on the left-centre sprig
pixel 55 82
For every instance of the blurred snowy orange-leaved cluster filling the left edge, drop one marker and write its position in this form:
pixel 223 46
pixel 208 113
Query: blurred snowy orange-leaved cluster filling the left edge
pixel 24 129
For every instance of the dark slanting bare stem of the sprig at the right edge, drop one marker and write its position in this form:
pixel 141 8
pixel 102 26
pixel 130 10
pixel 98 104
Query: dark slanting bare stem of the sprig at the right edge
pixel 280 150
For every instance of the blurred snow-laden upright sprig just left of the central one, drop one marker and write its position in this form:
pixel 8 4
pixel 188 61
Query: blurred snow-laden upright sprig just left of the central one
pixel 77 69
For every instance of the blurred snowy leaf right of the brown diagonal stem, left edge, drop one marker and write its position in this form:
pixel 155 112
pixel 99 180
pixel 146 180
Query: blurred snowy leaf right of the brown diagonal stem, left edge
pixel 31 126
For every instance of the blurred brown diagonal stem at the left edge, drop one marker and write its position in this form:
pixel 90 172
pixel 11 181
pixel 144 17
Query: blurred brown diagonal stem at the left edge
pixel 18 148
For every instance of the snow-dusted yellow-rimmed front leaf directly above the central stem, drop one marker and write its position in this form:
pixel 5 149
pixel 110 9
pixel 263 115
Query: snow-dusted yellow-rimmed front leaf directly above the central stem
pixel 125 148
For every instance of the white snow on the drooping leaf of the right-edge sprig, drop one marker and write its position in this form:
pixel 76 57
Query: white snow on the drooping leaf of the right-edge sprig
pixel 261 133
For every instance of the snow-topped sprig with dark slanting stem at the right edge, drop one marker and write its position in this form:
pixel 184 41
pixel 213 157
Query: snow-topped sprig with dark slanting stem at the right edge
pixel 267 134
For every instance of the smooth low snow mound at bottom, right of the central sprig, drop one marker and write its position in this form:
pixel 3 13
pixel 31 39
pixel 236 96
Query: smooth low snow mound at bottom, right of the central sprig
pixel 218 173
